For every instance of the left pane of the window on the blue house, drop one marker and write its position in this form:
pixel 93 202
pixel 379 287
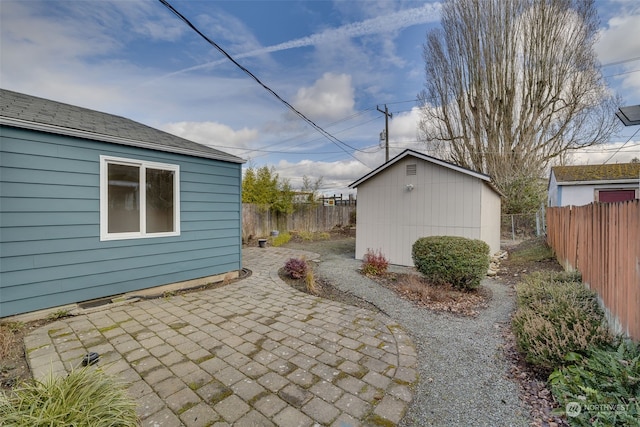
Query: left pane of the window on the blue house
pixel 124 198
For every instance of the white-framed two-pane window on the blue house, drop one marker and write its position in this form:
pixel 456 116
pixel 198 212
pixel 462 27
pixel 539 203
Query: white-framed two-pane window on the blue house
pixel 138 199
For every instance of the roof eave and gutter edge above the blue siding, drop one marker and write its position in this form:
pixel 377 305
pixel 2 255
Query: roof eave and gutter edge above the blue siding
pixel 25 124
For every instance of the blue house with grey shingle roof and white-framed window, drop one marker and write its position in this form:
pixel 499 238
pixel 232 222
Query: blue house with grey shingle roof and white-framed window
pixel 94 205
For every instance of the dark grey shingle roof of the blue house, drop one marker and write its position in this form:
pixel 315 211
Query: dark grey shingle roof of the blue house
pixel 30 112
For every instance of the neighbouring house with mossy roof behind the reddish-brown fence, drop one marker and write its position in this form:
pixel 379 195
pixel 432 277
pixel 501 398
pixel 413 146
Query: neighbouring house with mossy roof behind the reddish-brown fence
pixel 584 184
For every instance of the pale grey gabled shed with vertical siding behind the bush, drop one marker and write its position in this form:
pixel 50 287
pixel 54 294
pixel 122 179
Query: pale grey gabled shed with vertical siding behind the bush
pixel 415 195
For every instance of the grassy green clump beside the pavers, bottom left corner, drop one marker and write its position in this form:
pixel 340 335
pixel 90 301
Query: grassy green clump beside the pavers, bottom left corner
pixel 87 397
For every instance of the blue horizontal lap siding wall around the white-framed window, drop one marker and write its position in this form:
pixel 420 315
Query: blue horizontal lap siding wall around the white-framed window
pixel 51 253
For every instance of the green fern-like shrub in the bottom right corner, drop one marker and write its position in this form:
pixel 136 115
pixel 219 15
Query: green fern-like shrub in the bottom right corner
pixel 606 385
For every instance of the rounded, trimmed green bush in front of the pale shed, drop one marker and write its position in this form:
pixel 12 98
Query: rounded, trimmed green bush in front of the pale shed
pixel 458 261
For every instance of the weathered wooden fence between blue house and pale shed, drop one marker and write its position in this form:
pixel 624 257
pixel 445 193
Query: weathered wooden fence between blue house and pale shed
pixel 258 223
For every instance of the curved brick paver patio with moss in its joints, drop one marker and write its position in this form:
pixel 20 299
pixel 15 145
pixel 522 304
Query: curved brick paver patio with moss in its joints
pixel 255 352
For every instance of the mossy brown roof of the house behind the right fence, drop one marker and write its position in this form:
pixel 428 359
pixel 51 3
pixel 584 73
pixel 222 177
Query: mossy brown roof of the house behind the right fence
pixel 609 172
